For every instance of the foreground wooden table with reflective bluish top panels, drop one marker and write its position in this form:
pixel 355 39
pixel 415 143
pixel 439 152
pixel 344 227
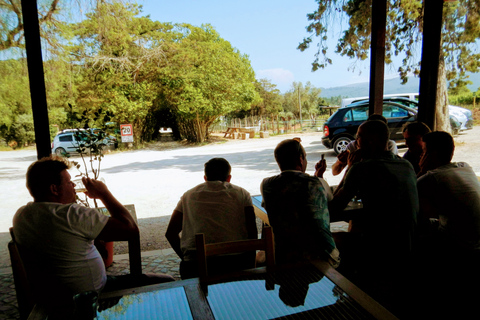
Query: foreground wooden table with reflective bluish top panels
pixel 313 290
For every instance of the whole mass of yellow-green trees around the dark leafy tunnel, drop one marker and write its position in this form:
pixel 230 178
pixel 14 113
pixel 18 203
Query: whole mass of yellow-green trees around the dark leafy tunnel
pixel 115 66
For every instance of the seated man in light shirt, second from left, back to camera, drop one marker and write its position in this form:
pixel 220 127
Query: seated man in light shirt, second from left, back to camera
pixel 220 210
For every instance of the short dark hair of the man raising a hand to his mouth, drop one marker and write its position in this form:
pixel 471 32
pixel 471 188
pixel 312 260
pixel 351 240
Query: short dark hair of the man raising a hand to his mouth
pixel 43 173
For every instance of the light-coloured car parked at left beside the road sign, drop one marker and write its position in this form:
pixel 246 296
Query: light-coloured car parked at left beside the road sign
pixel 67 142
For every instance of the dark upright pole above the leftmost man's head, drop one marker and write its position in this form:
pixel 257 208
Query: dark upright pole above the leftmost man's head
pixel 36 78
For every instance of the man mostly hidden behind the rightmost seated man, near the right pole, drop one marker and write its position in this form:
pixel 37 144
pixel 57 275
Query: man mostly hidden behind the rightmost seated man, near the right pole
pixel 413 133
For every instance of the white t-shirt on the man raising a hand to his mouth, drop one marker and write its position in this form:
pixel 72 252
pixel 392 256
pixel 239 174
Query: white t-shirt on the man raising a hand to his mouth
pixel 63 234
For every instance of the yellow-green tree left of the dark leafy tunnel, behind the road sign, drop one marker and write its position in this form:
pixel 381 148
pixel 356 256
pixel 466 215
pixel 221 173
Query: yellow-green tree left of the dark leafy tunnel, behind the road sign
pixel 117 55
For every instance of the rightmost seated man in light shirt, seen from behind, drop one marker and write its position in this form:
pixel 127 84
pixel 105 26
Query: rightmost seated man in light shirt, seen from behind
pixel 450 192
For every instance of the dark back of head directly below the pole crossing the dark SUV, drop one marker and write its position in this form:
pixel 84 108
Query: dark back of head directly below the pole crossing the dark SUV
pixel 372 136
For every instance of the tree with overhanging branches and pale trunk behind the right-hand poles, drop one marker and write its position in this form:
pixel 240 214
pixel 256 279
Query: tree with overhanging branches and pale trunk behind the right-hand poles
pixel 461 29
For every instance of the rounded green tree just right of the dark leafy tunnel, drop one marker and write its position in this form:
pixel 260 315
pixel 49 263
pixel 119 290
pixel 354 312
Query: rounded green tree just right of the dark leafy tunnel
pixel 205 78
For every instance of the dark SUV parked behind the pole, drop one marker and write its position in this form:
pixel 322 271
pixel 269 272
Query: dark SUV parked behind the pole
pixel 342 126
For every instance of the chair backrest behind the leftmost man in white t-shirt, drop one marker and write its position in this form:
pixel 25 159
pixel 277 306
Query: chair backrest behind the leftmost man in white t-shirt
pixel 23 289
